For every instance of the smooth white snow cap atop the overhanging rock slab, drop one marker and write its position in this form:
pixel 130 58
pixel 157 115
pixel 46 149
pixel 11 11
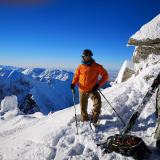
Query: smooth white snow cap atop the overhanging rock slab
pixel 150 30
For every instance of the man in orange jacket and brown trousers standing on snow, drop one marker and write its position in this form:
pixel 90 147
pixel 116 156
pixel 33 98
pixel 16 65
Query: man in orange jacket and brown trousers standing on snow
pixel 87 75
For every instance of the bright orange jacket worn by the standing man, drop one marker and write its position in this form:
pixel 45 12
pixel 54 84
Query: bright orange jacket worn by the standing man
pixel 87 76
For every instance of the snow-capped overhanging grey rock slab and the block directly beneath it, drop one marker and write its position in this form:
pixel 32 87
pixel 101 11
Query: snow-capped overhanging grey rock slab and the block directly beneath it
pixel 146 40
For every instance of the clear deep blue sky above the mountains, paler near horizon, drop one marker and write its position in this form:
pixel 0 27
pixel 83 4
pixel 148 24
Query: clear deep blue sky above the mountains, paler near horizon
pixel 53 34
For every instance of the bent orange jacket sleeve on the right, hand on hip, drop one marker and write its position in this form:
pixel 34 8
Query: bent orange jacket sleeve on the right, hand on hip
pixel 104 75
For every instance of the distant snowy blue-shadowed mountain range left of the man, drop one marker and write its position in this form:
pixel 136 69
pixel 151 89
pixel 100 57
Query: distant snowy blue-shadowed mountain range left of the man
pixel 37 89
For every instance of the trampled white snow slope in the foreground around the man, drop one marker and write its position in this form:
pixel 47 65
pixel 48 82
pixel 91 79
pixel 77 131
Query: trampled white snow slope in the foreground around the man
pixel 53 136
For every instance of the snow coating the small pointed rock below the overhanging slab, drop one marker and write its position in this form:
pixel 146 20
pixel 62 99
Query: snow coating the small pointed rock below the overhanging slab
pixel 126 64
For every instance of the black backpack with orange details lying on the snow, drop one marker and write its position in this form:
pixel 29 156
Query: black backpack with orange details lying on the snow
pixel 127 145
